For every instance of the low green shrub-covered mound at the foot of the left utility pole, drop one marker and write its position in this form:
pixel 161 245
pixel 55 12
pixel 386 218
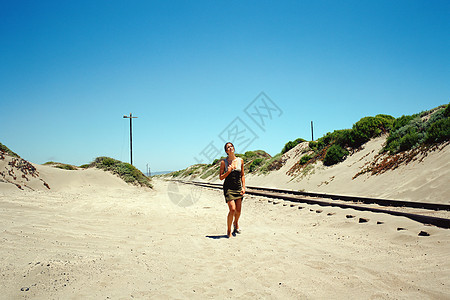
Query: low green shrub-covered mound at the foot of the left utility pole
pixel 126 171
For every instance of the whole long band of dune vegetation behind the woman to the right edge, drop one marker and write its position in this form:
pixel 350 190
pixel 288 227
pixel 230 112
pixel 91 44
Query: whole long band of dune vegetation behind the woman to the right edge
pixel 425 130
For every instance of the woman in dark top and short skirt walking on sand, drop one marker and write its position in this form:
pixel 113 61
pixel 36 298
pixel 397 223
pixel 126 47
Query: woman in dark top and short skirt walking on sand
pixel 232 170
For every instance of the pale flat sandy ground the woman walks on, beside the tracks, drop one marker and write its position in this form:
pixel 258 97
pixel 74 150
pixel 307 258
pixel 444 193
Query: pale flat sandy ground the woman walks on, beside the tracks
pixel 98 238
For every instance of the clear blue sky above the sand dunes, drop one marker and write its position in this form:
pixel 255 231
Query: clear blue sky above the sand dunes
pixel 70 70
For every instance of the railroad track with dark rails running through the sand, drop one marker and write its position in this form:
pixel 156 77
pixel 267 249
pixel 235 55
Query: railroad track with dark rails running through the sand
pixel 392 207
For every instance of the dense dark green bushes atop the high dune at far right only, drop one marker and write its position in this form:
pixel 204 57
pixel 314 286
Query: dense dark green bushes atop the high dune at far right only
pixel 404 133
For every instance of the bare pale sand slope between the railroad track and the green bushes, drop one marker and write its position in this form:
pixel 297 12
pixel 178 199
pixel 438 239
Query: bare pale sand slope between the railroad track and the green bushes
pixel 423 181
